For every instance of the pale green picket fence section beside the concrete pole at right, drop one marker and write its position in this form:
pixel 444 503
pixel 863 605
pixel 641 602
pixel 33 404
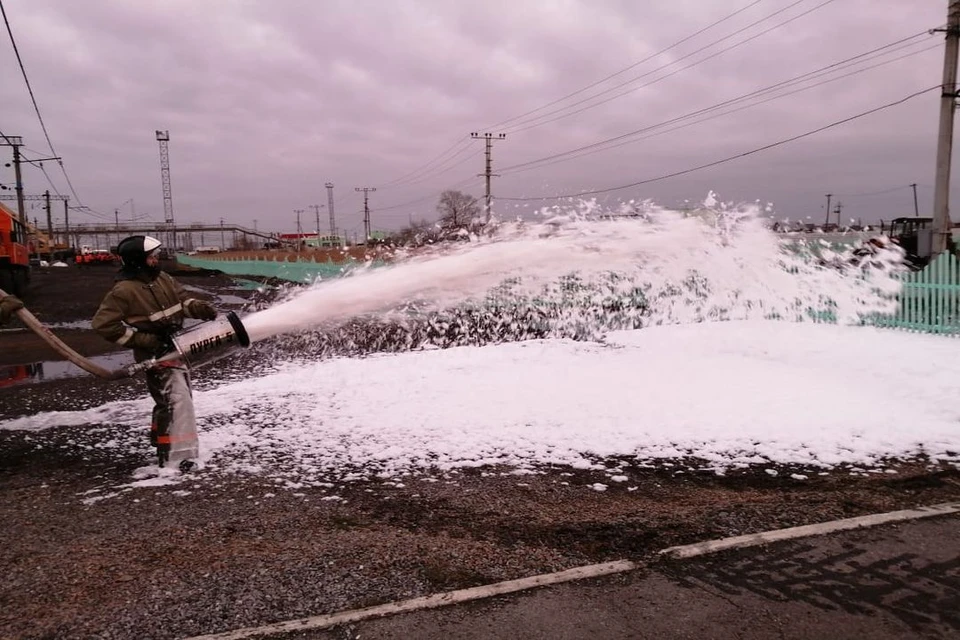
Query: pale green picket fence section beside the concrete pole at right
pixel 929 300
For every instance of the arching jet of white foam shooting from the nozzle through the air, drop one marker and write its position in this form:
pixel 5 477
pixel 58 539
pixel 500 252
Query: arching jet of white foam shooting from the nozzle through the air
pixel 719 262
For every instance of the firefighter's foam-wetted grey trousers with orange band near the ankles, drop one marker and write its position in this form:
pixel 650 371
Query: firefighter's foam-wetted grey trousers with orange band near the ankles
pixel 174 427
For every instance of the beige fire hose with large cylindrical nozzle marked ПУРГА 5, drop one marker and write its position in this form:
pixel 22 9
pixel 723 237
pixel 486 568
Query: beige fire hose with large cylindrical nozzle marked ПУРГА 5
pixel 197 346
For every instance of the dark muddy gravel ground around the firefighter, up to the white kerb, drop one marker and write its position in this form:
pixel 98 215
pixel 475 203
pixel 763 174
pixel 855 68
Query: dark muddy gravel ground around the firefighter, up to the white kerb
pixel 218 553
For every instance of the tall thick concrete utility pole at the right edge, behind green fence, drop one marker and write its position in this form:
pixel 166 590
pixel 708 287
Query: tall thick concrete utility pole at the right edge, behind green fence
pixel 948 96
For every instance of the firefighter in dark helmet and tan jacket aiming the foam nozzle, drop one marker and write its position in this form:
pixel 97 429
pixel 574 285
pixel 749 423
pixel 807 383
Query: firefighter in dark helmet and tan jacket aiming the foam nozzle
pixel 142 311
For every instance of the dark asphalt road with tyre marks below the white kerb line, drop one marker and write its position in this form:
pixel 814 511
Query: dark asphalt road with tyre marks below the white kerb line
pixel 891 582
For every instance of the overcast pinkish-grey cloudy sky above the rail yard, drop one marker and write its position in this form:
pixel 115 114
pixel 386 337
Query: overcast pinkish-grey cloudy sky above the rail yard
pixel 265 101
